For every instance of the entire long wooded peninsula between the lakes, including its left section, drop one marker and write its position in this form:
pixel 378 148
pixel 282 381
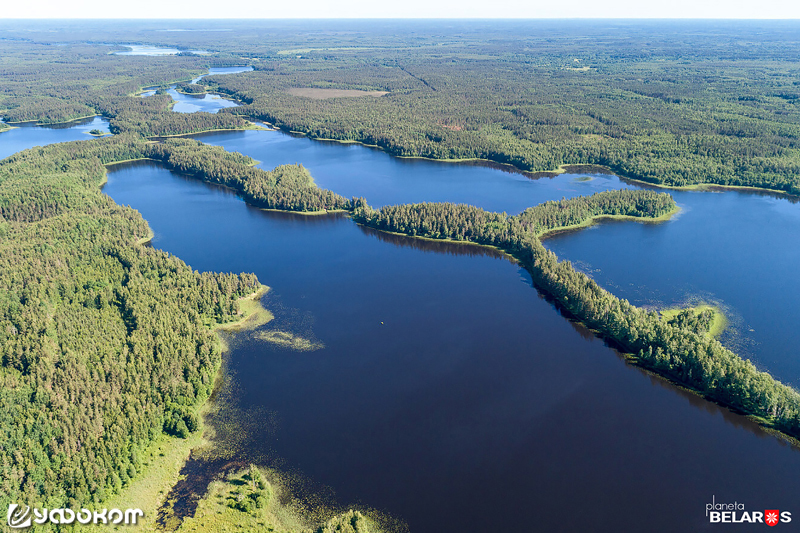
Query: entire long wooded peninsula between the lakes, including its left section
pixel 676 349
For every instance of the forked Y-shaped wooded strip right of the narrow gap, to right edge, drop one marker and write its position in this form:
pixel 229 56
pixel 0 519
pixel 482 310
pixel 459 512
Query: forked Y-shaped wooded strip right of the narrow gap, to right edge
pixel 677 348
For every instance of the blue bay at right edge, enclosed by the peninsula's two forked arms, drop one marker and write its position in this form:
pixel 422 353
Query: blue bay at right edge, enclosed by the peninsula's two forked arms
pixel 734 249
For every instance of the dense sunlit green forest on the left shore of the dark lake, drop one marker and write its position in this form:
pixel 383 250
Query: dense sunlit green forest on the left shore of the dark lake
pixel 104 343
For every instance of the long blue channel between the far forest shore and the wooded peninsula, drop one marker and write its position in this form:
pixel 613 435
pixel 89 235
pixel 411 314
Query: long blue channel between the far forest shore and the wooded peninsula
pixel 355 170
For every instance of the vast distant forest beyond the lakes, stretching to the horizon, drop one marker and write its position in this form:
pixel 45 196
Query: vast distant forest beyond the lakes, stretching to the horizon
pixel 716 103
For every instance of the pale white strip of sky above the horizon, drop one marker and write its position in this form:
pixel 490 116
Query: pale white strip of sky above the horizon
pixel 160 9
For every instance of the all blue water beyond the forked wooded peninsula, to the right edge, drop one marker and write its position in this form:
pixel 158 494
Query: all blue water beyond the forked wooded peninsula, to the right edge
pixel 733 249
